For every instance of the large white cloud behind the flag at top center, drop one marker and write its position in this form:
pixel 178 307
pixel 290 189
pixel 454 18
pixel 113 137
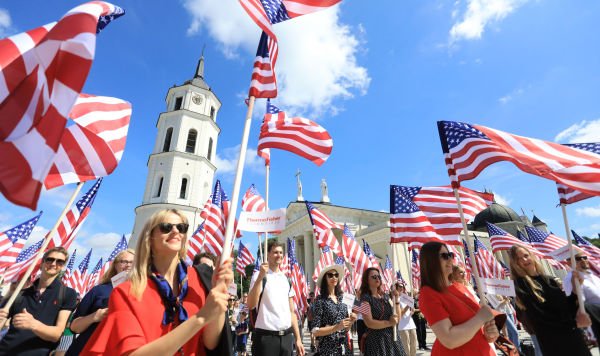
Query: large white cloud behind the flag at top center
pixel 317 54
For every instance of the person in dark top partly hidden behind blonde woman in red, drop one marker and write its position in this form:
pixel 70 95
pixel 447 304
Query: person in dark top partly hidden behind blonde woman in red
pixel 94 305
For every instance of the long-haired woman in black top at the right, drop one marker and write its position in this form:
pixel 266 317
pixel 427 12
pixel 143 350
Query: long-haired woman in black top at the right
pixel 551 315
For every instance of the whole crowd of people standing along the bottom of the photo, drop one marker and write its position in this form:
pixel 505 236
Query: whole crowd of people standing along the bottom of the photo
pixel 165 307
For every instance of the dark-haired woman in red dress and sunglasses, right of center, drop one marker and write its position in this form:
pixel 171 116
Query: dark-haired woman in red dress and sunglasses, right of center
pixel 461 326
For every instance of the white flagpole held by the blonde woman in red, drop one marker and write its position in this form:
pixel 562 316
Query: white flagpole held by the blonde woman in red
pixel 237 182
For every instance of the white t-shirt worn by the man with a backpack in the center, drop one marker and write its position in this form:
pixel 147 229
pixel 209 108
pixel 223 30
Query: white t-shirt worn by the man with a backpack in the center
pixel 274 310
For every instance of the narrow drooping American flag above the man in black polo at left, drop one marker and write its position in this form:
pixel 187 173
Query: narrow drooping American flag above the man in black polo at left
pixel 73 220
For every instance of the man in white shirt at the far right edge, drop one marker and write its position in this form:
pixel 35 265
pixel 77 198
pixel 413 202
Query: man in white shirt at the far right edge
pixel 590 288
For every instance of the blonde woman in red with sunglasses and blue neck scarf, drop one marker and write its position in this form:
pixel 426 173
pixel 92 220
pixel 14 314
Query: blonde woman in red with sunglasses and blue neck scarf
pixel 164 309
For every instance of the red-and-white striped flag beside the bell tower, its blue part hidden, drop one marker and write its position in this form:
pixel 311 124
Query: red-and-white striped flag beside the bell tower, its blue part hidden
pixel 93 147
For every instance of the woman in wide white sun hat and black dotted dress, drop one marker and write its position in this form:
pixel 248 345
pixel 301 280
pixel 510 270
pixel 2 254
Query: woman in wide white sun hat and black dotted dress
pixel 331 321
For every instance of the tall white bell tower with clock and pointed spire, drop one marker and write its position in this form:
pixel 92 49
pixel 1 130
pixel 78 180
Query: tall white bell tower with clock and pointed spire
pixel 181 167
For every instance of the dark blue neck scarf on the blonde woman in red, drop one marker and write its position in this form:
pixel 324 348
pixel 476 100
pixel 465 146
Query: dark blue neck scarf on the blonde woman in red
pixel 173 304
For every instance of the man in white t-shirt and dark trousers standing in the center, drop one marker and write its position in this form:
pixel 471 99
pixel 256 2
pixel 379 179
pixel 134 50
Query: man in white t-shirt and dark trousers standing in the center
pixel 276 326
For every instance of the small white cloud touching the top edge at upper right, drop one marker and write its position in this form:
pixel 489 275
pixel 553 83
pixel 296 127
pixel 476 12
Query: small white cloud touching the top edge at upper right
pixel 477 15
